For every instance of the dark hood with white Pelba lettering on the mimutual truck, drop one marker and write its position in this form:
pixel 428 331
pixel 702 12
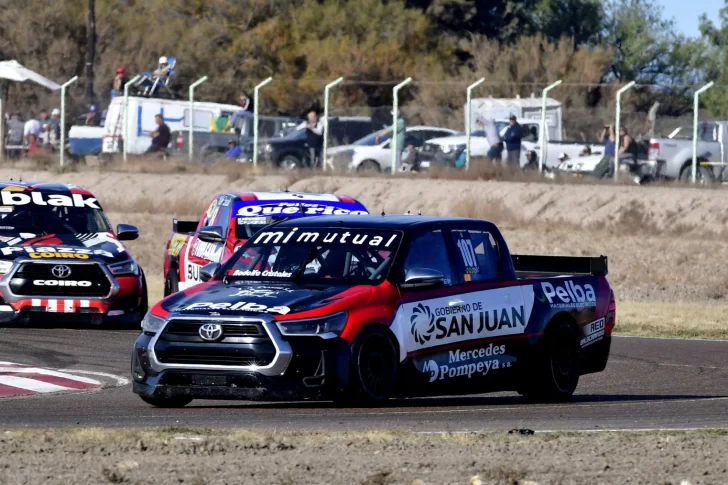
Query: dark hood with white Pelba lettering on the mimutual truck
pixel 251 298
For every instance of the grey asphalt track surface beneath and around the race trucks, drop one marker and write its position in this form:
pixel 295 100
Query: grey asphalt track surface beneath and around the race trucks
pixel 648 384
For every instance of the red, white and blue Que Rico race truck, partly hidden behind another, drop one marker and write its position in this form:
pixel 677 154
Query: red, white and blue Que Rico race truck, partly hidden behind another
pixel 229 220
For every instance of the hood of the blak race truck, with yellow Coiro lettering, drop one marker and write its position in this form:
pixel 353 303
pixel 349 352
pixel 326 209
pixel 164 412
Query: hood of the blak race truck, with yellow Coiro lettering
pixel 99 246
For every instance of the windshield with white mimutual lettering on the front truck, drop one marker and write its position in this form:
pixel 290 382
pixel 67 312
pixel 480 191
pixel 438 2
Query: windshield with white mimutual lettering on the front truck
pixel 324 256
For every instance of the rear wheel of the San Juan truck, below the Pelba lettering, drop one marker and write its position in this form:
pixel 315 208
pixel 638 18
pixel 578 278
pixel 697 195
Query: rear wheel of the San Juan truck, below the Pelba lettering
pixel 554 374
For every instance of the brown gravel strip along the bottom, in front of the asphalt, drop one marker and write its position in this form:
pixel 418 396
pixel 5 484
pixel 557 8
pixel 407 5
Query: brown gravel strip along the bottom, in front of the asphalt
pixel 205 457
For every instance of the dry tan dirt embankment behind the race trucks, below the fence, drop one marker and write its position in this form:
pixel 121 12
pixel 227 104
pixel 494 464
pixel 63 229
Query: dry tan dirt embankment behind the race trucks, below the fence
pixel 664 243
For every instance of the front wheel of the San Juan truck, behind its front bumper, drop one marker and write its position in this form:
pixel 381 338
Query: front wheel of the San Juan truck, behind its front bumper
pixel 374 371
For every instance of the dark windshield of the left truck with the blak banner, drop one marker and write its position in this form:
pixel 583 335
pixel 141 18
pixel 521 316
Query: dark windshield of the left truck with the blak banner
pixel 48 219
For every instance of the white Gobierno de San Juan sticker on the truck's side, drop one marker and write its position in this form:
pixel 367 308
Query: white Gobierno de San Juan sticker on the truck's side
pixel 477 315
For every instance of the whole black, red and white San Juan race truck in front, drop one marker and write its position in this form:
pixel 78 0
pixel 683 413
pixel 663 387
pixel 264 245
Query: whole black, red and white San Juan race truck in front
pixel 372 307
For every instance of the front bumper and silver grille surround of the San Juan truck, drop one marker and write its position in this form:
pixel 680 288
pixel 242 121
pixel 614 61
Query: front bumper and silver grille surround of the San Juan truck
pixel 302 368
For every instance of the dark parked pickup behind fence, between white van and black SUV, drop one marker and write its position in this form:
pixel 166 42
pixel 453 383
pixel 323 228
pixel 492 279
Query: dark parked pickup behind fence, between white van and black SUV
pixel 209 145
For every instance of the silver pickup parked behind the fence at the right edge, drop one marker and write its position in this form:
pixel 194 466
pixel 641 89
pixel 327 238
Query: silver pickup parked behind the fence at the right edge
pixel 675 153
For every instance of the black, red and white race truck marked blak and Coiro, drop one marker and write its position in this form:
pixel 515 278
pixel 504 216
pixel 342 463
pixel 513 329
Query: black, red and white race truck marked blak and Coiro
pixel 61 260
